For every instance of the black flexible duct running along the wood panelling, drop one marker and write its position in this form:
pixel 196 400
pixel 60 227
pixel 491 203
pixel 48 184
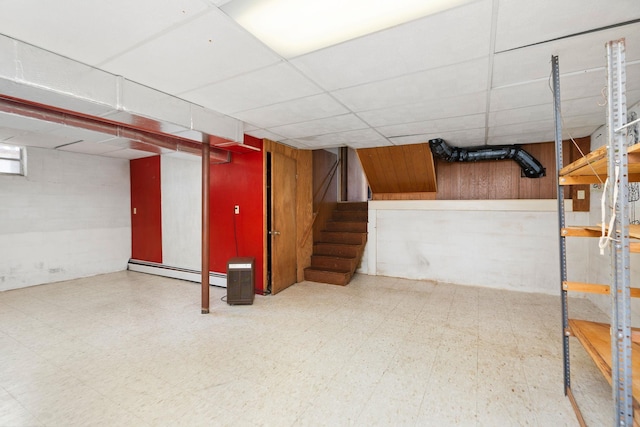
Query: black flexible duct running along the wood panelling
pixel 531 167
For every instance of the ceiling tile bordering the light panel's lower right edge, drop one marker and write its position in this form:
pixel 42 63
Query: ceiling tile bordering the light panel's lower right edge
pixel 462 33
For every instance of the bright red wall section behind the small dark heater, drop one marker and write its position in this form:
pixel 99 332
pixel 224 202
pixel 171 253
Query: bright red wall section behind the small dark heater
pixel 238 183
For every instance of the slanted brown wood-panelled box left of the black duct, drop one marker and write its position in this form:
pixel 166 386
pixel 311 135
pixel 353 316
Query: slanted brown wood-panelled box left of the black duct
pixel 396 170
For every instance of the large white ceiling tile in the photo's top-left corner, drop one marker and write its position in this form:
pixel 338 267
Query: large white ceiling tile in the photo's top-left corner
pixel 91 32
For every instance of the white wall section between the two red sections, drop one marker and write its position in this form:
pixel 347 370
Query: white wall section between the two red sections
pixel 181 184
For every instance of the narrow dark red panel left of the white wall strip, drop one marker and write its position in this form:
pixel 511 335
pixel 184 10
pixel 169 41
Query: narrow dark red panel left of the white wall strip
pixel 146 209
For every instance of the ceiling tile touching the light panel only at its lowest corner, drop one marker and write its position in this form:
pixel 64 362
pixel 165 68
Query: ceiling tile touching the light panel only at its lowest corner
pixel 266 86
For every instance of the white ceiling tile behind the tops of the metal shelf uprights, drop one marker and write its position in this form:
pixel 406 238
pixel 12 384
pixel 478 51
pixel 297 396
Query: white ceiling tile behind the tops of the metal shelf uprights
pixel 575 54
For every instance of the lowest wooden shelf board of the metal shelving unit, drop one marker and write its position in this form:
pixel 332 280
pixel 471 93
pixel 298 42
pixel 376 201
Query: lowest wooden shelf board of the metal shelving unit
pixel 595 338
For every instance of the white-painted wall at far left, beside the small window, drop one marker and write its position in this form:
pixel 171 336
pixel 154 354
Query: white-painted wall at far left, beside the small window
pixel 68 218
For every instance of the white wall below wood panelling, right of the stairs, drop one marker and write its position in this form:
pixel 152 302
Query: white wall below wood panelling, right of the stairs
pixel 507 244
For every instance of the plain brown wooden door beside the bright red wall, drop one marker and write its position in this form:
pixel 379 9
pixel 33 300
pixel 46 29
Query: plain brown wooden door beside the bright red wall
pixel 283 222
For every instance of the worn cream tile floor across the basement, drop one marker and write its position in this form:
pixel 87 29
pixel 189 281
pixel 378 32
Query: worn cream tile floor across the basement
pixel 129 349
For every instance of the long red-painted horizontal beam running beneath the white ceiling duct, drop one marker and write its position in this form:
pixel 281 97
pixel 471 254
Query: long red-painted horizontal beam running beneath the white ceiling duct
pixel 98 124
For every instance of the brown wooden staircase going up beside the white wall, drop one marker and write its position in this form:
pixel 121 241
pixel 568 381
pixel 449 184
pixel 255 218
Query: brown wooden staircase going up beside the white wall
pixel 339 251
